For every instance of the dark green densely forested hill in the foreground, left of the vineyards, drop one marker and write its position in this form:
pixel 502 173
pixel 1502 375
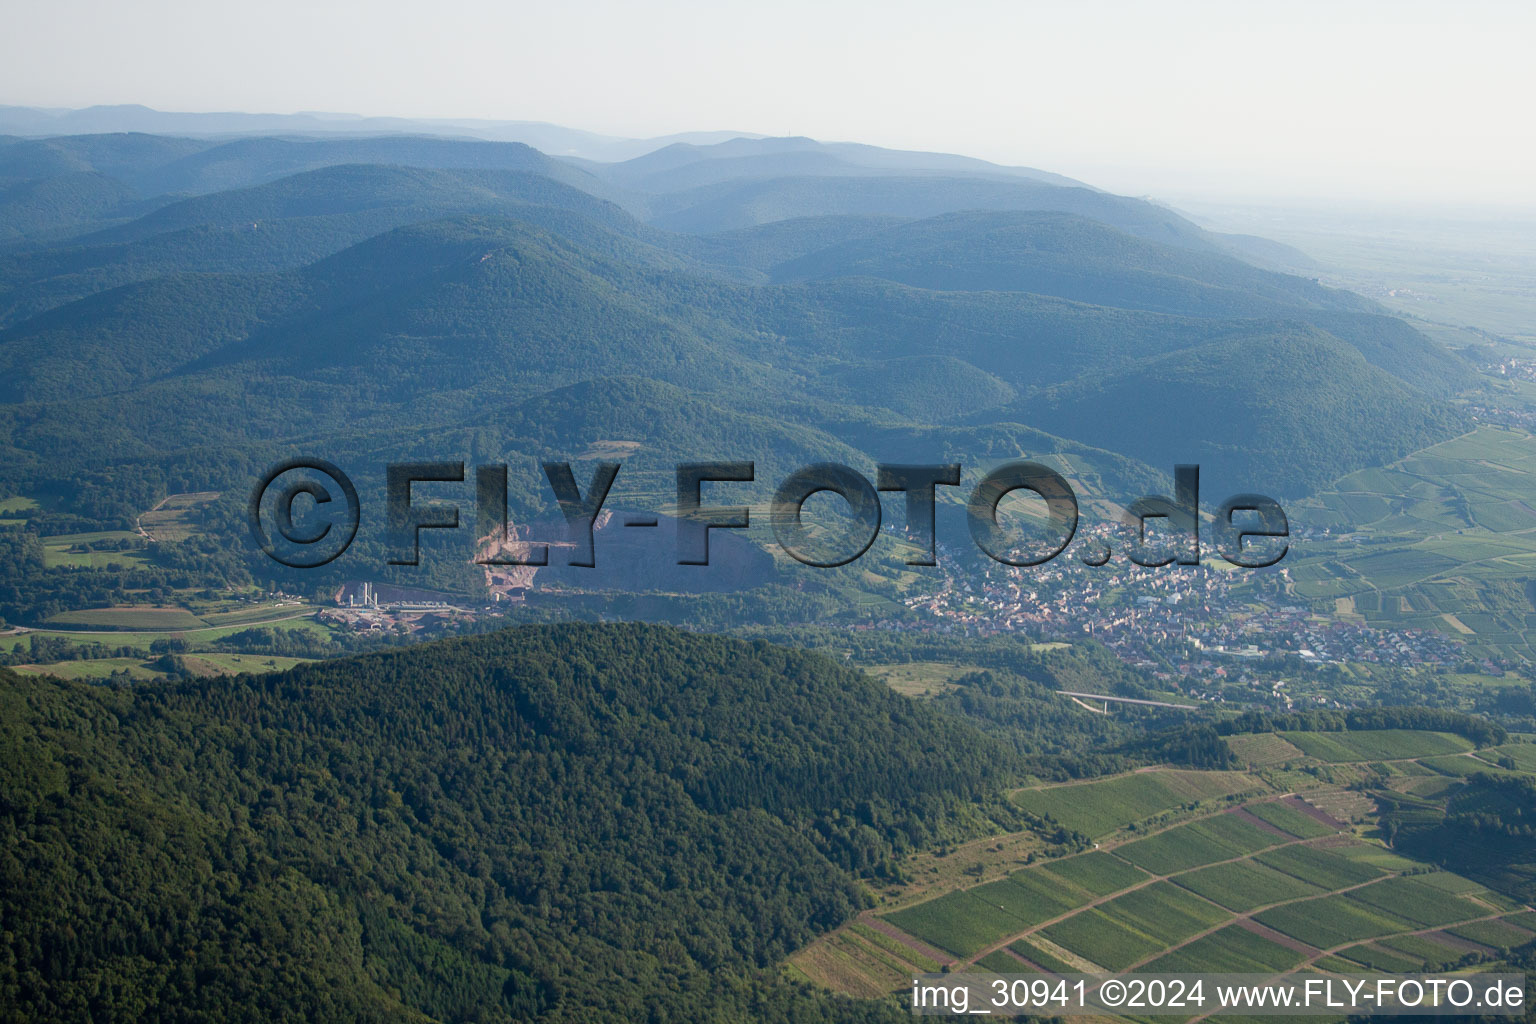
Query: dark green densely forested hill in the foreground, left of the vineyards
pixel 569 824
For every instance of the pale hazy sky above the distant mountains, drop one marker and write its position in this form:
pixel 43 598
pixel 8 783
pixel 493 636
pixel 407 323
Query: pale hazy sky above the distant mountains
pixel 1388 99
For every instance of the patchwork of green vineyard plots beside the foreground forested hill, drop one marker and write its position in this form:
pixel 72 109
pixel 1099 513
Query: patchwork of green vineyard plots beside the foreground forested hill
pixel 1266 882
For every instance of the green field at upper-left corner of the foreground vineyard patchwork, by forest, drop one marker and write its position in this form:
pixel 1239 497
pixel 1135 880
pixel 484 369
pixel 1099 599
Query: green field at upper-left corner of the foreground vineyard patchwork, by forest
pixel 1101 808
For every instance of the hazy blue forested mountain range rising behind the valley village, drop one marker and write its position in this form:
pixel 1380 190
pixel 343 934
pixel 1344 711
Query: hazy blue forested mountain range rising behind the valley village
pixel 783 300
